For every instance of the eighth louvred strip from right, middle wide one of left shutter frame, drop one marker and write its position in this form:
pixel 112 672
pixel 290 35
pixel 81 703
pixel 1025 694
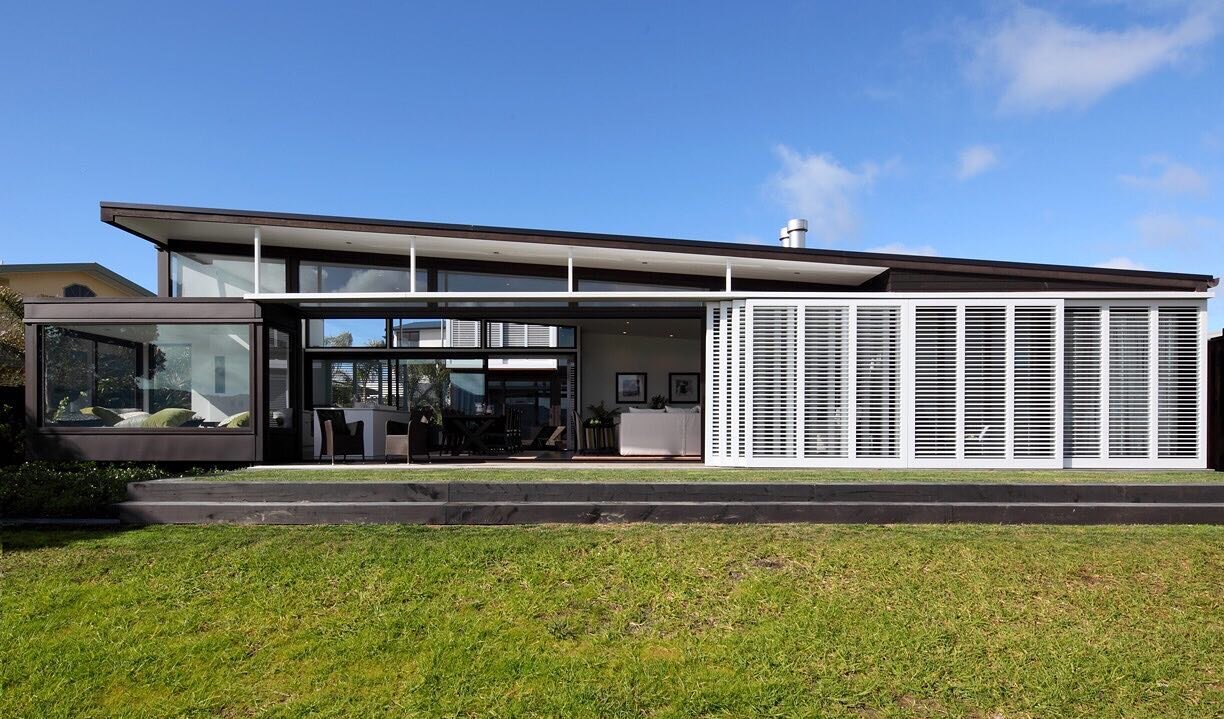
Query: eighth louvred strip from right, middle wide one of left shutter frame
pixel 826 379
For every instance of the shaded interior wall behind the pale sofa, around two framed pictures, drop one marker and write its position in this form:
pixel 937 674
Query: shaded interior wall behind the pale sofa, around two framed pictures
pixel 644 347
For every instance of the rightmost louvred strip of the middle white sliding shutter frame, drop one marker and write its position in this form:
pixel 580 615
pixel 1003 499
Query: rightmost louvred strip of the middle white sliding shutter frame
pixel 1035 383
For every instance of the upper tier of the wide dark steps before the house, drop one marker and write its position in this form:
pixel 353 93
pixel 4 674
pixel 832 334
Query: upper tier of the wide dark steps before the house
pixel 504 493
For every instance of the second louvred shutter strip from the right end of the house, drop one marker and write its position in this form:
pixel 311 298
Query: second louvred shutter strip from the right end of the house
pixel 1129 379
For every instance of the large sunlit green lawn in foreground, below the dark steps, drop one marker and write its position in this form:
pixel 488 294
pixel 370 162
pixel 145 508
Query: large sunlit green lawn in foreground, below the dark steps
pixel 614 622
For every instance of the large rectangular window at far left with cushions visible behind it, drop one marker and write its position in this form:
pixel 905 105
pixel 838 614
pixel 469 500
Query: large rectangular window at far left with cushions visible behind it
pixel 146 377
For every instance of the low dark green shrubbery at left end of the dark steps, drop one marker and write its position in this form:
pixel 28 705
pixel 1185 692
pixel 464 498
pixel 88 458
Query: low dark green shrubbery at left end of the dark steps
pixel 72 489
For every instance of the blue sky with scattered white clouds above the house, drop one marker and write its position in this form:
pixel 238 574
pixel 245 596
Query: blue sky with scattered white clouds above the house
pixel 1075 133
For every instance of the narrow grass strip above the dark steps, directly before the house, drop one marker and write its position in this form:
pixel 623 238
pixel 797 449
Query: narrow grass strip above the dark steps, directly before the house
pixel 673 473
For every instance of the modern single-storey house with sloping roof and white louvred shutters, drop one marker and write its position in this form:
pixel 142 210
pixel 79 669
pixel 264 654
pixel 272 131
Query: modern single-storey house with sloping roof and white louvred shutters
pixel 764 356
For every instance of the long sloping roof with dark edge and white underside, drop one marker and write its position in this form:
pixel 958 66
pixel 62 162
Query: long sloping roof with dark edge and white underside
pixel 163 225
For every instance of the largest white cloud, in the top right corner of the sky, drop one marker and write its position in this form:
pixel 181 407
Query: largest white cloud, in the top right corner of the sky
pixel 1046 64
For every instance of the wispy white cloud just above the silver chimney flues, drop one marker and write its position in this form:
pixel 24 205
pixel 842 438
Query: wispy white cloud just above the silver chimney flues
pixel 821 190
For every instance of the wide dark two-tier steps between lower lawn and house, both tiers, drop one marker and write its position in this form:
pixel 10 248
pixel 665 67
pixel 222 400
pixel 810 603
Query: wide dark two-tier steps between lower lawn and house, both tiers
pixel 476 503
